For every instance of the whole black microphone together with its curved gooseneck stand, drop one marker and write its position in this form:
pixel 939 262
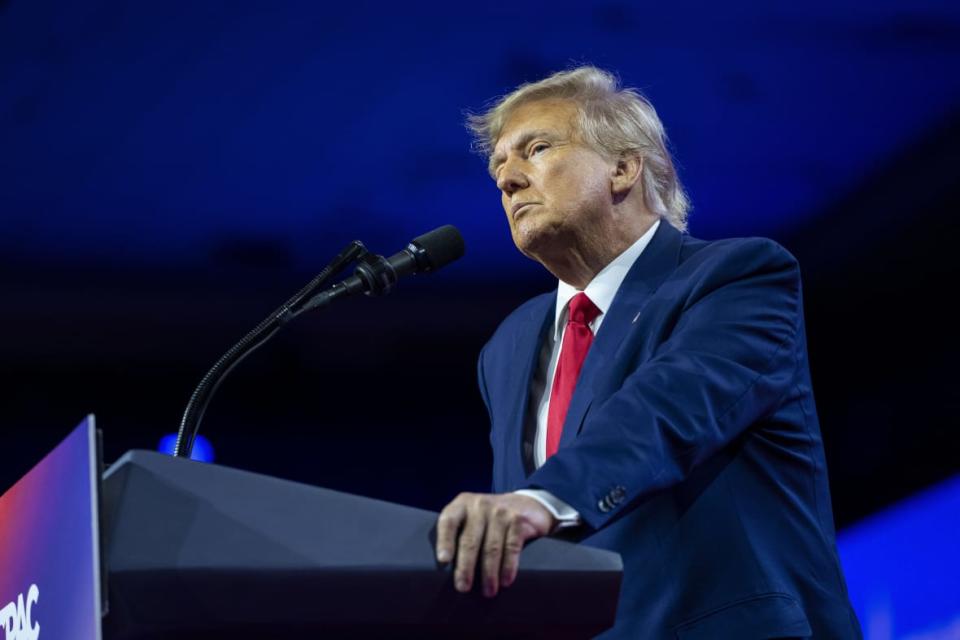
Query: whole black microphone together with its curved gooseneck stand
pixel 374 275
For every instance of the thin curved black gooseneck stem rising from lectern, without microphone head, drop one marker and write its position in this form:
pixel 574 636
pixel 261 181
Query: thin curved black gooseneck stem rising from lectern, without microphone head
pixel 190 423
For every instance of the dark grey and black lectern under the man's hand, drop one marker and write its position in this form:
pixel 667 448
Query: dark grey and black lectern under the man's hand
pixel 198 550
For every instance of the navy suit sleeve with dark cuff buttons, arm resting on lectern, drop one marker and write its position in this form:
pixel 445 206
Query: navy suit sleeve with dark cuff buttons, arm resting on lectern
pixel 727 363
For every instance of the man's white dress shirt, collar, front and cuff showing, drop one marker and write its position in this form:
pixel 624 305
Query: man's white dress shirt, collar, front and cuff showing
pixel 601 291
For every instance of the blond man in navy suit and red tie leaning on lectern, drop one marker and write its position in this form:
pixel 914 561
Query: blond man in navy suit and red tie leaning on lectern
pixel 658 403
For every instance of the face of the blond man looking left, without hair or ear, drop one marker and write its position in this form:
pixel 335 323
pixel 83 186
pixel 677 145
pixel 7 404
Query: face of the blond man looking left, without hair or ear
pixel 556 190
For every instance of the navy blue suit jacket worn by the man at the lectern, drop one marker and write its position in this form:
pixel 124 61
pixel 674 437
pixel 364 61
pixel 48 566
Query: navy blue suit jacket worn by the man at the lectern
pixel 691 445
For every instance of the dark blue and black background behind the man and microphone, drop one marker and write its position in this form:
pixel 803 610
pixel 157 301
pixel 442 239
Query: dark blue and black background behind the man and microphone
pixel 171 172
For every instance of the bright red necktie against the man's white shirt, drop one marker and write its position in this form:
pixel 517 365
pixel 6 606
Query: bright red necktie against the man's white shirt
pixel 576 342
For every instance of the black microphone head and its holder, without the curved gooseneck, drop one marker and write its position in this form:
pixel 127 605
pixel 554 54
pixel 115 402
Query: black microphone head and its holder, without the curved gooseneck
pixel 376 275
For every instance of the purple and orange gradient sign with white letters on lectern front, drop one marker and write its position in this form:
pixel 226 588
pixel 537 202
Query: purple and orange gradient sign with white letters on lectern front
pixel 48 538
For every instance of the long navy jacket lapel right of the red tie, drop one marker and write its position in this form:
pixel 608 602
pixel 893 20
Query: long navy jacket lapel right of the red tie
pixel 657 261
